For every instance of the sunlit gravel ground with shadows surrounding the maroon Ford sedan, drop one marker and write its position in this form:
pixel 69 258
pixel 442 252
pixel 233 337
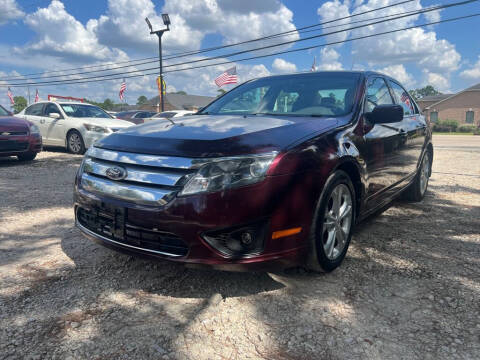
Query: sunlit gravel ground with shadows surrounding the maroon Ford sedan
pixel 408 288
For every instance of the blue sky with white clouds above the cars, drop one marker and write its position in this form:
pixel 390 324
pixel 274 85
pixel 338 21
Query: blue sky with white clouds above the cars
pixel 46 35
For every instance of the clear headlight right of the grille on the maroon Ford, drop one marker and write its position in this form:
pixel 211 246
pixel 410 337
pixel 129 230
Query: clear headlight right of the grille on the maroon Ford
pixel 224 173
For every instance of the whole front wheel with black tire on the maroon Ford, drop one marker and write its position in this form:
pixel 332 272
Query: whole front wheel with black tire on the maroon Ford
pixel 333 223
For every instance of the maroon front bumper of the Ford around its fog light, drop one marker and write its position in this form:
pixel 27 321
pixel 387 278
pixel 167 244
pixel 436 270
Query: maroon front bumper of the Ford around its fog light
pixel 274 202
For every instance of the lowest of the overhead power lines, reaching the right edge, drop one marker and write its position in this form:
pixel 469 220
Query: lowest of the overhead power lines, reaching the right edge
pixel 268 55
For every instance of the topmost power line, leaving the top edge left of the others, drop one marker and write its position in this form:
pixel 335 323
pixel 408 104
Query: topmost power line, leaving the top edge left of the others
pixel 177 55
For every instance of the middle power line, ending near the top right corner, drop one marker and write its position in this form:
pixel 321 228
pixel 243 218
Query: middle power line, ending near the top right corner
pixel 105 76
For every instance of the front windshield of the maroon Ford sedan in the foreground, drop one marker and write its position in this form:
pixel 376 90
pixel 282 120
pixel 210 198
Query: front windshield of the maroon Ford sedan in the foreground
pixel 312 94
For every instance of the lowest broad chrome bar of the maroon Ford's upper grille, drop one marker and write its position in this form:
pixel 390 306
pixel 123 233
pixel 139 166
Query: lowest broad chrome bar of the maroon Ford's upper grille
pixel 128 192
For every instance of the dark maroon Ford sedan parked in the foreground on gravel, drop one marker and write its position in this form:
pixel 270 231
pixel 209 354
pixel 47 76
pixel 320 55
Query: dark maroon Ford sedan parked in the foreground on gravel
pixel 274 173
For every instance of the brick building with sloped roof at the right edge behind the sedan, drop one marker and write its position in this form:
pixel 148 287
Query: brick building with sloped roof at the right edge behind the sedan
pixel 463 106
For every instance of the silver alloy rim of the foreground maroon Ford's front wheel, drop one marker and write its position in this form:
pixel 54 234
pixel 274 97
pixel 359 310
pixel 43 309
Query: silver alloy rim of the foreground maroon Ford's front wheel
pixel 337 221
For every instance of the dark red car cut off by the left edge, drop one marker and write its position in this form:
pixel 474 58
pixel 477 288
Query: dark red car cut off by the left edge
pixel 18 137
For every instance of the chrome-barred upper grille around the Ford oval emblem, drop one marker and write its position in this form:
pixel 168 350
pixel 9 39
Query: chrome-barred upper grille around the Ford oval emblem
pixel 147 180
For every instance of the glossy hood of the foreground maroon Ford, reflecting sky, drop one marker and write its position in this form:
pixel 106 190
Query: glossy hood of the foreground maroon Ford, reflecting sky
pixel 216 135
